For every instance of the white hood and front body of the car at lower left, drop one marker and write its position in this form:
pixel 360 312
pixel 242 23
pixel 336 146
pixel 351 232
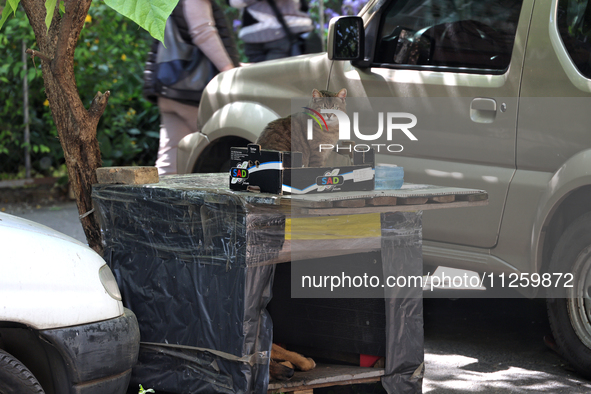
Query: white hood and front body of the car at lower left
pixel 48 279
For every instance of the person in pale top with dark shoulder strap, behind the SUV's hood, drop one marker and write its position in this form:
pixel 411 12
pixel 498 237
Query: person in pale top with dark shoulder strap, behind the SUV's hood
pixel 263 34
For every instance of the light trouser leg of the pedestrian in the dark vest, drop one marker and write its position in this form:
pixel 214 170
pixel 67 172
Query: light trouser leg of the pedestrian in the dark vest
pixel 178 120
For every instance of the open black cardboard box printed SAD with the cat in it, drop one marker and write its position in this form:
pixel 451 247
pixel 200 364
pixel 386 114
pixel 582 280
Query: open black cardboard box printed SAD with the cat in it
pixel 276 172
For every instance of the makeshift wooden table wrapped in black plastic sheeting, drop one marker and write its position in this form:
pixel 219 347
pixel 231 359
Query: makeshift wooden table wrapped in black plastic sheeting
pixel 195 262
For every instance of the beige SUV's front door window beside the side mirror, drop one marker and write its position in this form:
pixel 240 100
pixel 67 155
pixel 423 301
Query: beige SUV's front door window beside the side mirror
pixel 472 35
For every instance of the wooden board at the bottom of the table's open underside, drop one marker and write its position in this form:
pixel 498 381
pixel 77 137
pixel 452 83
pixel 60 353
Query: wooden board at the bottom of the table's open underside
pixel 326 376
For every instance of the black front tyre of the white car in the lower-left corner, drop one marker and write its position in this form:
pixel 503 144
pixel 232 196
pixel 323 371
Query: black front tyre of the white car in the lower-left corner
pixel 15 378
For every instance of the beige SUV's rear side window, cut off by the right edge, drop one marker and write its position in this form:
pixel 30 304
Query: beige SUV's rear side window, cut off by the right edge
pixel 574 25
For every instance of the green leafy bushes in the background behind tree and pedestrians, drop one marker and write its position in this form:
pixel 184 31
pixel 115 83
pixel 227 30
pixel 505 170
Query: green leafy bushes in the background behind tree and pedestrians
pixel 110 56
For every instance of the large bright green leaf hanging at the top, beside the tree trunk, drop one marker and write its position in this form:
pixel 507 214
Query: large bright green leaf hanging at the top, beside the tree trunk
pixel 149 14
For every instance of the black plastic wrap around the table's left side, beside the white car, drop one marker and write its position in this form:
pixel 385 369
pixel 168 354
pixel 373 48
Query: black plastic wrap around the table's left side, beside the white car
pixel 186 258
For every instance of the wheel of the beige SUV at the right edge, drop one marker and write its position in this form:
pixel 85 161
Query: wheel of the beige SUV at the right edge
pixel 569 308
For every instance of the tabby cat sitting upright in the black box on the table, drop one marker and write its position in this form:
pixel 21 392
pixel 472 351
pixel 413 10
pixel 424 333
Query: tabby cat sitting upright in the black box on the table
pixel 290 133
